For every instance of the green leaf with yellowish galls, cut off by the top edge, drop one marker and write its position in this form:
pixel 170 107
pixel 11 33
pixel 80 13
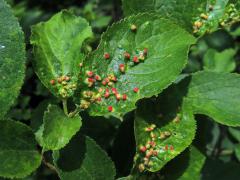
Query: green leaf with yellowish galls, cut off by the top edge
pixel 198 16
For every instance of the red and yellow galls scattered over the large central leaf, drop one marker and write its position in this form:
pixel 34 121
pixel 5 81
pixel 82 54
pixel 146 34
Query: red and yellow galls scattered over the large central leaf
pixel 101 88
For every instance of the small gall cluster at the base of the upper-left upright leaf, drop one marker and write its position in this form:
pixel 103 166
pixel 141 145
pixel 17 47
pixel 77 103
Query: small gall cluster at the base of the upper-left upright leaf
pixel 64 86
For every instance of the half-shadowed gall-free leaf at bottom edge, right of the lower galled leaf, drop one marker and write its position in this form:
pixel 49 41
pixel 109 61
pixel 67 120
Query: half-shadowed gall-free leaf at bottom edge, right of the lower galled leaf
pixel 186 166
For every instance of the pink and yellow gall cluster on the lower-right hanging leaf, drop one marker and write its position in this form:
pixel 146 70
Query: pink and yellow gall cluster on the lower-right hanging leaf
pixel 150 149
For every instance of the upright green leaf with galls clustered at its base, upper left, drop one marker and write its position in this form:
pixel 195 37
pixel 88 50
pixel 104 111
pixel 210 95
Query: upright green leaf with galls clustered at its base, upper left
pixel 57 44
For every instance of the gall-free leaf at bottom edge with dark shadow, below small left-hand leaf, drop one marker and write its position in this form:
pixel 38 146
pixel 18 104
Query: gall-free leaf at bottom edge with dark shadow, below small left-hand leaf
pixel 83 158
